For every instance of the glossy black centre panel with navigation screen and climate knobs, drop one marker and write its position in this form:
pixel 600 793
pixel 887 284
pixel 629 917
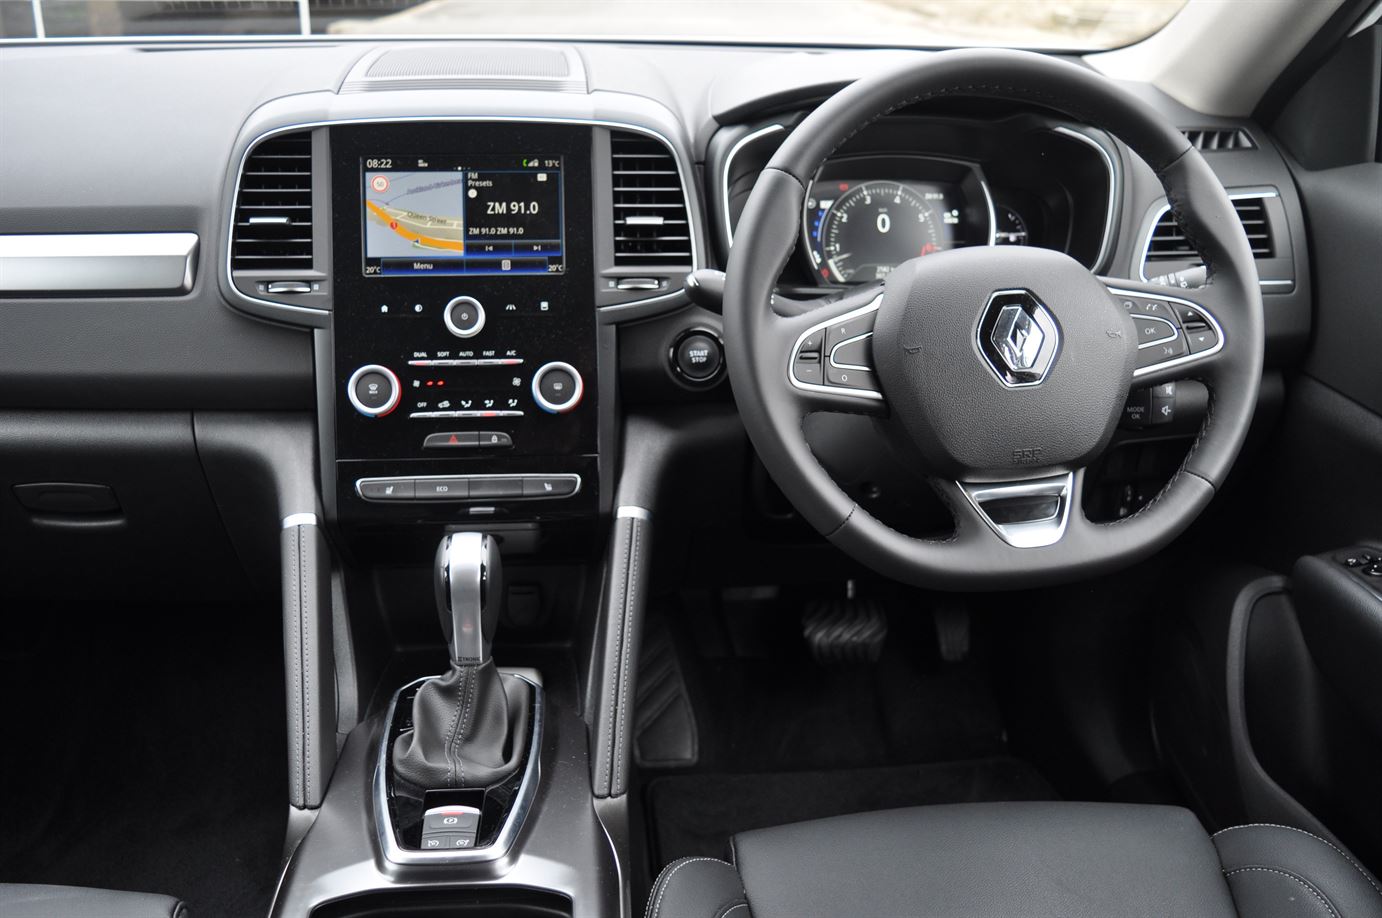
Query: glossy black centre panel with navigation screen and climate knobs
pixel 465 346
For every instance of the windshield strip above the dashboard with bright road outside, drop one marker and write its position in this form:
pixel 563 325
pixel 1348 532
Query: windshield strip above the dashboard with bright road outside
pixel 1033 24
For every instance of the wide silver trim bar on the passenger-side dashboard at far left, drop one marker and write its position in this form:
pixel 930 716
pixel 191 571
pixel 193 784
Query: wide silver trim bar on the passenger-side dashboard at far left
pixel 99 263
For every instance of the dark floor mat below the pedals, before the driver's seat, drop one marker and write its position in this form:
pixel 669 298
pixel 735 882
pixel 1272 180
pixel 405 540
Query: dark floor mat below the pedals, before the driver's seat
pixel 696 815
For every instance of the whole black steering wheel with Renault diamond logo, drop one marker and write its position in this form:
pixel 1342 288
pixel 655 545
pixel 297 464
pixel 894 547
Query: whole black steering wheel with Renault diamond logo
pixel 1004 371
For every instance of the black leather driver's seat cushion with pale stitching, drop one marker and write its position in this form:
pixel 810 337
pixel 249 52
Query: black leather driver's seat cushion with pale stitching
pixel 1030 861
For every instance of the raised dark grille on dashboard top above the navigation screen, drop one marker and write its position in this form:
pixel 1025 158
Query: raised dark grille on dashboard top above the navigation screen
pixel 469 67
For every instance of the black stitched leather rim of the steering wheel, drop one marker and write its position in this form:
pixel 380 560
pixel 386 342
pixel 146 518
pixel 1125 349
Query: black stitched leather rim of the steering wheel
pixel 761 331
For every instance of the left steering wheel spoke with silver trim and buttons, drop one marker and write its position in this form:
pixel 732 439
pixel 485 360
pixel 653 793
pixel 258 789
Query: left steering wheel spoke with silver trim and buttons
pixel 830 355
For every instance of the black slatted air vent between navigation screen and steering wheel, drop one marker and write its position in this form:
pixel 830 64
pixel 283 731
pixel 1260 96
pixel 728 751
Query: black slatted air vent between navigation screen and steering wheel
pixel 650 208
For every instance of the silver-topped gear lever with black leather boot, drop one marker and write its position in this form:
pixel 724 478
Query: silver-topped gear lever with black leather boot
pixel 471 725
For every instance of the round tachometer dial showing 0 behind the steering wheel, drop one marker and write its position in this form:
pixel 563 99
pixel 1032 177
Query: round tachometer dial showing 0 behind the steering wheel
pixel 875 226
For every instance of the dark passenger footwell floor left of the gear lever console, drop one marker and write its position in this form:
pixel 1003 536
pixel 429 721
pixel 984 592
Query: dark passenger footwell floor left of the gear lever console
pixel 153 756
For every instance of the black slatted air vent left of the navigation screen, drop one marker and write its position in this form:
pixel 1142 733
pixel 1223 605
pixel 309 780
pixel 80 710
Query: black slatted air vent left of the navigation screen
pixel 274 208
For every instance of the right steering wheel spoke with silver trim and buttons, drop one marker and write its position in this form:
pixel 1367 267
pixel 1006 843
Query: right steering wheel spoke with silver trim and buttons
pixel 1177 335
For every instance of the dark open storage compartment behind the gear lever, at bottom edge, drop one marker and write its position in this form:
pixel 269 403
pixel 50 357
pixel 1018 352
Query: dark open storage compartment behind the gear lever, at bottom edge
pixel 453 903
